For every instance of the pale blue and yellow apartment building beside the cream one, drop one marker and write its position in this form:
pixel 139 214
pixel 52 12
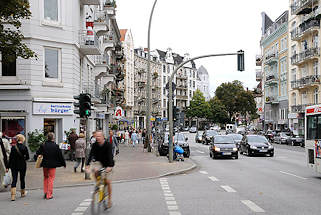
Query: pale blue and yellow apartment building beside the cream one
pixel 274 44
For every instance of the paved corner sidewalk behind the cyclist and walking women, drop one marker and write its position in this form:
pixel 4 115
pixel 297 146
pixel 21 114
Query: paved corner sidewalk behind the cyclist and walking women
pixel 130 164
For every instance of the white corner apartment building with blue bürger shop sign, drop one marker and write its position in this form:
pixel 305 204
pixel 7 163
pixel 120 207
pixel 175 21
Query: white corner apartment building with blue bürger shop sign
pixel 78 49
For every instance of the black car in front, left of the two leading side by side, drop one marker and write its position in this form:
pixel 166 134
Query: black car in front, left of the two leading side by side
pixel 223 145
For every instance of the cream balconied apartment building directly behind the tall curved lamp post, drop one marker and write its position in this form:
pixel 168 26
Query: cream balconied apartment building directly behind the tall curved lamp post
pixel 140 99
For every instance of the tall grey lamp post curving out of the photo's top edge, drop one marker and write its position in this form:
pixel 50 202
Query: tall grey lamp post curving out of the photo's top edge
pixel 148 111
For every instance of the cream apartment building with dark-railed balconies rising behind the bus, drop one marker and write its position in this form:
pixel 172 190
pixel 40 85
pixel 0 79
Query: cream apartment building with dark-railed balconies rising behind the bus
pixel 304 21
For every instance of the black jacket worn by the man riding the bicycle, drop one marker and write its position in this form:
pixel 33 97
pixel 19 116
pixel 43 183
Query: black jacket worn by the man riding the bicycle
pixel 103 154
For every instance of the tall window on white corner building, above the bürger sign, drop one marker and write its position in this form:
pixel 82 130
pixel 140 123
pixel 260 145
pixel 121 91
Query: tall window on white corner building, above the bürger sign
pixel 51 63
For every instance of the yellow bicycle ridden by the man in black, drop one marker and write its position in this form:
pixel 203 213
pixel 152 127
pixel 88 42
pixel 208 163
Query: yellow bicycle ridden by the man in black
pixel 100 194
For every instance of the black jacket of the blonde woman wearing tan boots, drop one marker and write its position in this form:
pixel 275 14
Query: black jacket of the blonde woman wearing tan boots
pixel 17 161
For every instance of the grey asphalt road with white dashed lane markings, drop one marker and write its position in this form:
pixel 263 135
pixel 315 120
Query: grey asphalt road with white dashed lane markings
pixel 249 185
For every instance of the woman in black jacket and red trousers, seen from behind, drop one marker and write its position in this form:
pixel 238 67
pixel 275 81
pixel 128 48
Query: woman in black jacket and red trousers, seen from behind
pixel 52 158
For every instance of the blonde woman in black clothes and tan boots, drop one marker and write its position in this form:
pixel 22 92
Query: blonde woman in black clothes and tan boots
pixel 17 163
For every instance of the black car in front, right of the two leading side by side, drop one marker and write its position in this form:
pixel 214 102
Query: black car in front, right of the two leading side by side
pixel 256 145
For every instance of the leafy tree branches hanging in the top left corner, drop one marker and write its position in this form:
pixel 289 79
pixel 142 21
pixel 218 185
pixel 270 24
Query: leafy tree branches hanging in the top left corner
pixel 11 14
